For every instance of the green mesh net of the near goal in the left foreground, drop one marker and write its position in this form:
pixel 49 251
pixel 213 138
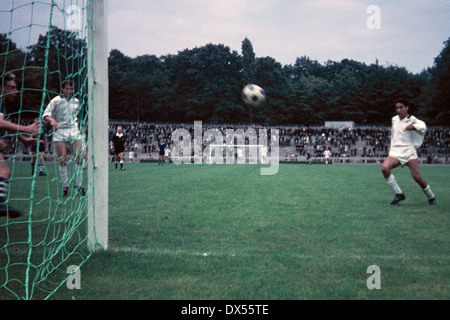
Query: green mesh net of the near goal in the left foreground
pixel 43 43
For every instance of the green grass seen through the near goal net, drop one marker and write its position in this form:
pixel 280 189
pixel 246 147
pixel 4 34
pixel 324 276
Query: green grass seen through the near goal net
pixel 48 238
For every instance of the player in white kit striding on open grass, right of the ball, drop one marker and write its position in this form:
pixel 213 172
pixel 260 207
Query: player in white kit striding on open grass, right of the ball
pixel 407 134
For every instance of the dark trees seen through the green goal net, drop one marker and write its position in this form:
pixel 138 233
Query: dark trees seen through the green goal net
pixel 56 56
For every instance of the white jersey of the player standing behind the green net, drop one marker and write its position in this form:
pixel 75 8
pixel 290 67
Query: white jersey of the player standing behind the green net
pixel 64 111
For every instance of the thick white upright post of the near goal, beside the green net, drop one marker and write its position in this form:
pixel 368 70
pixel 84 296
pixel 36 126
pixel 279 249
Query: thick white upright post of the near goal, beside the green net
pixel 98 125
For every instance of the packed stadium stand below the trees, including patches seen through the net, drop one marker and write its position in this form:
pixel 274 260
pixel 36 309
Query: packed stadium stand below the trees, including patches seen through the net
pixel 361 144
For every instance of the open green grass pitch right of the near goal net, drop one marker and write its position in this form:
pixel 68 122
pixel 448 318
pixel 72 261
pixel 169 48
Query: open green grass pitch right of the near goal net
pixel 308 232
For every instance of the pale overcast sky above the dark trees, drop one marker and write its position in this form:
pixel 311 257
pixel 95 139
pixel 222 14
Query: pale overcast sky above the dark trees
pixel 408 34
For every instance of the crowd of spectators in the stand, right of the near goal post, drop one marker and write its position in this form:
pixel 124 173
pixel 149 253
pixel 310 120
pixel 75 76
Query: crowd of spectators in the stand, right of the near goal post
pixel 359 141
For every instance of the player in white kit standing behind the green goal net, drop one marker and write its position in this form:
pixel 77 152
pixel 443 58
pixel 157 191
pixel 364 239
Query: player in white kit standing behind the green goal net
pixel 62 114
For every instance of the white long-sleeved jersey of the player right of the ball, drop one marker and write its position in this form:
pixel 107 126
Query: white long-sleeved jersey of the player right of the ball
pixel 400 137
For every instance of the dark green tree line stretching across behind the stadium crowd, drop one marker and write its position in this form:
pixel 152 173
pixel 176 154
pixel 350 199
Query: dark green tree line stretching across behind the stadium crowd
pixel 205 83
